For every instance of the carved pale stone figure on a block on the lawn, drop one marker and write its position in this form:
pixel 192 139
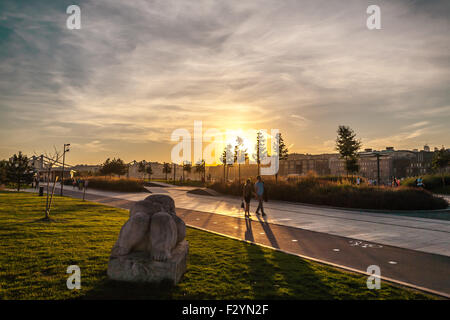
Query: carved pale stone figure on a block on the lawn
pixel 151 245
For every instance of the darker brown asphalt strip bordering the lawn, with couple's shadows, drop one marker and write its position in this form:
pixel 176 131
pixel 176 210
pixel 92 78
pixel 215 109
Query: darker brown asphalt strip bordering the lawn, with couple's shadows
pixel 421 270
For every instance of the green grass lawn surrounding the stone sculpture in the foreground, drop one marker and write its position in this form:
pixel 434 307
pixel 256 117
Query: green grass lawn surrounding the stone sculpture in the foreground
pixel 34 256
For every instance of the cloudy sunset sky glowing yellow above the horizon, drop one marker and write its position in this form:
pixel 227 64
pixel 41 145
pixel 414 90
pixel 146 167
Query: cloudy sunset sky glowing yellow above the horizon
pixel 138 70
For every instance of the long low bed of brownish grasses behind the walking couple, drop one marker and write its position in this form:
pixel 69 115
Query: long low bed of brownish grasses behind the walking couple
pixel 324 192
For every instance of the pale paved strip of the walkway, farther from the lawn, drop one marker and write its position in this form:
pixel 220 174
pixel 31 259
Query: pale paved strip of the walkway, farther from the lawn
pixel 421 234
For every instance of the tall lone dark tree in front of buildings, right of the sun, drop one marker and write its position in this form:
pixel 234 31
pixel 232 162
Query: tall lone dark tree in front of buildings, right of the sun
pixel 347 145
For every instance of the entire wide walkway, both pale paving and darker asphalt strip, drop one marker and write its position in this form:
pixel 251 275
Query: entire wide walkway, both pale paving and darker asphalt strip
pixel 291 229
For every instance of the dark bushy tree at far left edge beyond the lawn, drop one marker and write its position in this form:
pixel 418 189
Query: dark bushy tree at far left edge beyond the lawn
pixel 19 170
